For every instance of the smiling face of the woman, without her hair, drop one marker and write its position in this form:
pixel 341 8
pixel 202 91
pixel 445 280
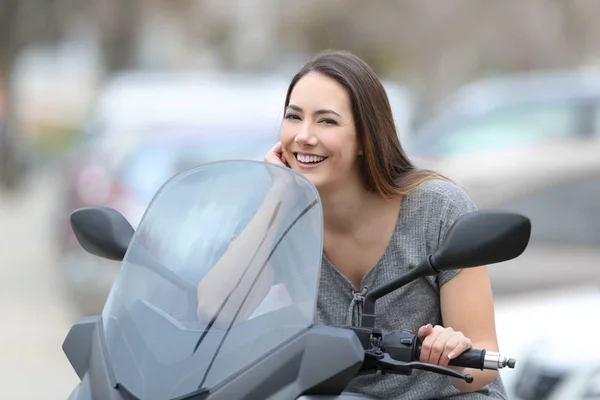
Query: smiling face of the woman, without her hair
pixel 318 136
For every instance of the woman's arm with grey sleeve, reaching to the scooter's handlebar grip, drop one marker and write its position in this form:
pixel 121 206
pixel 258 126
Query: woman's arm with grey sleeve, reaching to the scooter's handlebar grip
pixel 466 300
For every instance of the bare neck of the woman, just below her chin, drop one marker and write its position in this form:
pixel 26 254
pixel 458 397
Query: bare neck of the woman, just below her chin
pixel 346 209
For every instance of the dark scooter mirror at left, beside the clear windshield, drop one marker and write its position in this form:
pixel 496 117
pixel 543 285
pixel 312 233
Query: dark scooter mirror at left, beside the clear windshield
pixel 102 231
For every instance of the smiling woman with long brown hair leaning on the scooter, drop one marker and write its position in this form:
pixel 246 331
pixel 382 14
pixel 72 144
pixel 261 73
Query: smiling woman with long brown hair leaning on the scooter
pixel 382 215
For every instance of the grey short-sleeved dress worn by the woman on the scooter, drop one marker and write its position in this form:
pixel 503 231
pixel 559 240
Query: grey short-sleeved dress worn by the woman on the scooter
pixel 425 216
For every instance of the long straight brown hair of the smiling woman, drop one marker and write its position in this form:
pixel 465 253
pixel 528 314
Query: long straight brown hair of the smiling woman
pixel 384 166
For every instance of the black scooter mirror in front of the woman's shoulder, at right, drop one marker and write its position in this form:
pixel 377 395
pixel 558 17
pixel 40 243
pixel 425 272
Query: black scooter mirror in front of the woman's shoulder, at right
pixel 481 238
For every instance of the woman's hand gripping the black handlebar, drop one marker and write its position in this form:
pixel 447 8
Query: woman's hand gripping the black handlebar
pixel 440 345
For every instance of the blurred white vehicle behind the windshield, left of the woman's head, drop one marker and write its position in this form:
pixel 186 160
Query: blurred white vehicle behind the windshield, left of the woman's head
pixel 132 103
